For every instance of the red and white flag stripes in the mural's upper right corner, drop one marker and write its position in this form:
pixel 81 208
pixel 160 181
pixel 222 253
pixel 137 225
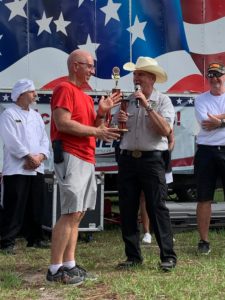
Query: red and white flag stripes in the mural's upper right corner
pixel 204 23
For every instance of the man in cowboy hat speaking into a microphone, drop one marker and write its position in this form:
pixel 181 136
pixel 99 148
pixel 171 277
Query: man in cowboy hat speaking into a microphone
pixel 149 119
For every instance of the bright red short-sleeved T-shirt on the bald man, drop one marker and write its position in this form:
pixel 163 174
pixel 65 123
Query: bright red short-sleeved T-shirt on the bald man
pixel 68 96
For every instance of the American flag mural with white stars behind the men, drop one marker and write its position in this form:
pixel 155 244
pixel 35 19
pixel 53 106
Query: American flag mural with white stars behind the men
pixel 37 36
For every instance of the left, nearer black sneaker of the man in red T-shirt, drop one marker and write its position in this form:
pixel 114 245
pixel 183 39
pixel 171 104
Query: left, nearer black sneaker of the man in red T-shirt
pixel 64 276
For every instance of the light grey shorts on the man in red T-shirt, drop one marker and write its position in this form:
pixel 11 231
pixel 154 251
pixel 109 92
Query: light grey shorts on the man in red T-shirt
pixel 77 184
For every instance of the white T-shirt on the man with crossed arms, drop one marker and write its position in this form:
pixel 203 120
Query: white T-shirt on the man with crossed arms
pixel 207 103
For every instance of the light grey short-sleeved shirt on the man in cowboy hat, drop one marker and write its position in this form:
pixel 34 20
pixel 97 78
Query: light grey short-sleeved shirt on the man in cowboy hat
pixel 140 135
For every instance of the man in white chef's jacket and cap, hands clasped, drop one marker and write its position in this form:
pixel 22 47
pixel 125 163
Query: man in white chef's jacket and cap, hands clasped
pixel 26 146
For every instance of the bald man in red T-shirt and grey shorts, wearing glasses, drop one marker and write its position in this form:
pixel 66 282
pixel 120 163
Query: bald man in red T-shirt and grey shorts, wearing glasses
pixel 74 129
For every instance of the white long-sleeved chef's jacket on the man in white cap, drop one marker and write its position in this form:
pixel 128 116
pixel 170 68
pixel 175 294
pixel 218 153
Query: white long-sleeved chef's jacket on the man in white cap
pixel 23 132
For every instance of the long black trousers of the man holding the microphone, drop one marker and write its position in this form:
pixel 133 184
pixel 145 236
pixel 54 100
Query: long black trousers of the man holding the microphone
pixel 147 174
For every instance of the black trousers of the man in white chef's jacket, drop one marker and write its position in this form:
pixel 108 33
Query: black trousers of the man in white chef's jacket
pixel 22 208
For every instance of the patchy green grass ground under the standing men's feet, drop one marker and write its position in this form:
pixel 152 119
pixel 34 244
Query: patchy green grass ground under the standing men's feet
pixel 22 276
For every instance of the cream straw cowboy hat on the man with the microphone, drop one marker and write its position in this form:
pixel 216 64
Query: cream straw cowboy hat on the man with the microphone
pixel 149 65
